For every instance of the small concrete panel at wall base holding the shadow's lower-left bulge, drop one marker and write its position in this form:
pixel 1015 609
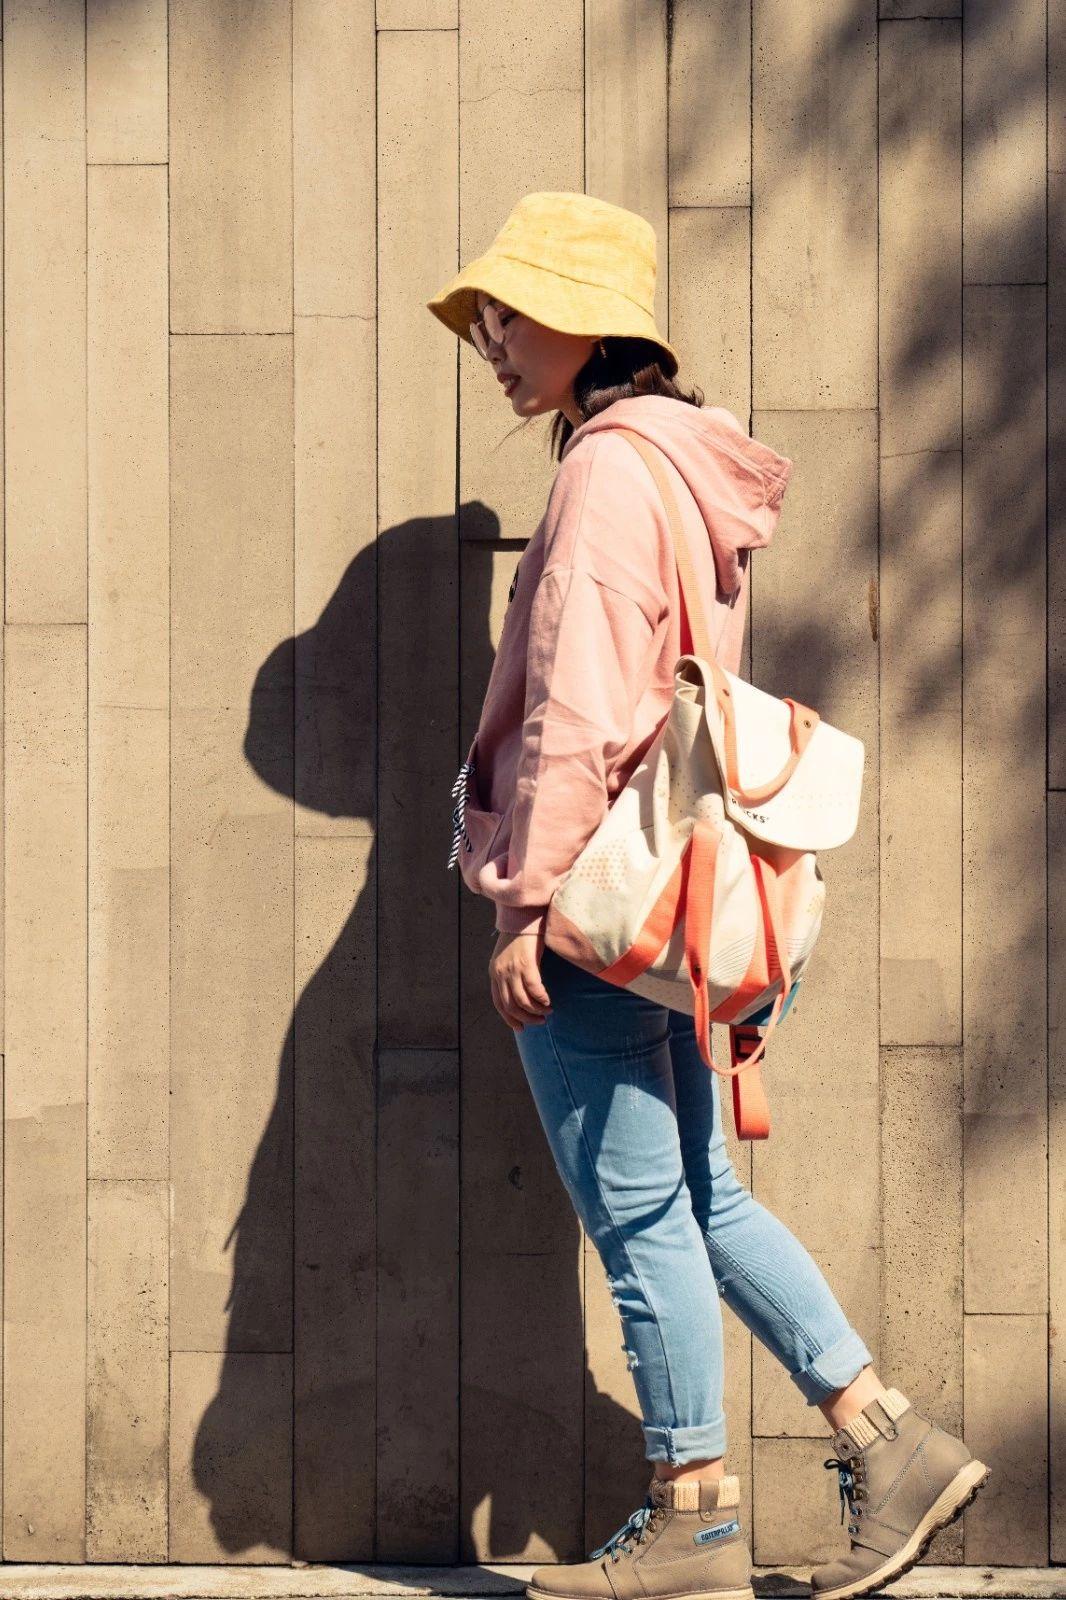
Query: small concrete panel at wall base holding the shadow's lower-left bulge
pixel 231 1460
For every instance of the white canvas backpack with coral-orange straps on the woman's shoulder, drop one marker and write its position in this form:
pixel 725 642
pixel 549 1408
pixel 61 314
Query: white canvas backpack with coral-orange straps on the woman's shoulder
pixel 700 889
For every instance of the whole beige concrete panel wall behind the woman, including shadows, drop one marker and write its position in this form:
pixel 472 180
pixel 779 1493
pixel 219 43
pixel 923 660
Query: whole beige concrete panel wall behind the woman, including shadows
pixel 287 1270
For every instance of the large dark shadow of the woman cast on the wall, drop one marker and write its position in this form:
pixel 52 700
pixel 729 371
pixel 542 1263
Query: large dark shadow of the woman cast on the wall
pixel 441 1404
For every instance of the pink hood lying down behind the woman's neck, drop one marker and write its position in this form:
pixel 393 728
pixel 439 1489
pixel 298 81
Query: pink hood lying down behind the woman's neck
pixel 737 481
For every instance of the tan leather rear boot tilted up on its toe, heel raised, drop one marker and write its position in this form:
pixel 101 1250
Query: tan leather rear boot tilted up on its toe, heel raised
pixel 904 1479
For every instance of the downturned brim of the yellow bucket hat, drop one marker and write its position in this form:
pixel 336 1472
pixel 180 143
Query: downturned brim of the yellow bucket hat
pixel 547 297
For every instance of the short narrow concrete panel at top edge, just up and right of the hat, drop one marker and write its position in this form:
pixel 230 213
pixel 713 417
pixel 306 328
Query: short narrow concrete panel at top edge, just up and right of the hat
pixel 710 116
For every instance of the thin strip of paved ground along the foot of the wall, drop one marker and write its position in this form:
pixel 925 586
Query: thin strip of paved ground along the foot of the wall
pixel 52 1582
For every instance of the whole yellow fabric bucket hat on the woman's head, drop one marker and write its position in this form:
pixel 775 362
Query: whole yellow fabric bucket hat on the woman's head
pixel 571 262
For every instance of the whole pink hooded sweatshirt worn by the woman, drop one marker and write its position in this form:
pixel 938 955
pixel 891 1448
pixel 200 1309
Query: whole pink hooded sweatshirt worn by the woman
pixel 585 668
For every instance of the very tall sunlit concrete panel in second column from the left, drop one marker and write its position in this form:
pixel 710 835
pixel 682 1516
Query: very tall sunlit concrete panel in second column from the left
pixel 129 674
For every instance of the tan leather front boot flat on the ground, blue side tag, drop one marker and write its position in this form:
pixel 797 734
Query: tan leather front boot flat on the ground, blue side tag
pixel 684 1542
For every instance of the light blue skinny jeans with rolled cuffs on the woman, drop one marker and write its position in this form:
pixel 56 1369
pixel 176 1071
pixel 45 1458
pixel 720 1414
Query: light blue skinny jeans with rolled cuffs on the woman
pixel 635 1122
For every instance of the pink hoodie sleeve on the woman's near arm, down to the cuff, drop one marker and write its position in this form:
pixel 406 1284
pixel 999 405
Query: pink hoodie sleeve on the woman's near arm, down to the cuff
pixel 590 652
